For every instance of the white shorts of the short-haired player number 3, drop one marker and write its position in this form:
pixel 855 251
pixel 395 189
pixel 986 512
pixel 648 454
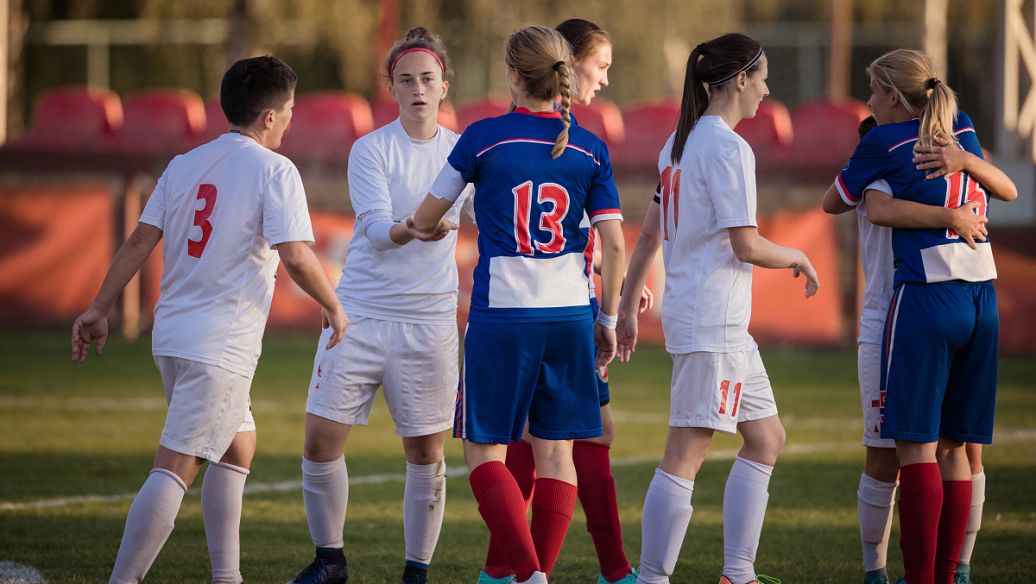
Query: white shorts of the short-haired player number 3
pixel 208 406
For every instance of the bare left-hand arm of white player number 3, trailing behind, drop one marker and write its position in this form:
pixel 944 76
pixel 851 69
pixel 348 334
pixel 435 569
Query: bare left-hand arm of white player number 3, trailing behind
pixel 92 327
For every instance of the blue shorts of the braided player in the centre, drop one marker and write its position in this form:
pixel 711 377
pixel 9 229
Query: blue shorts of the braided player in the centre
pixel 543 372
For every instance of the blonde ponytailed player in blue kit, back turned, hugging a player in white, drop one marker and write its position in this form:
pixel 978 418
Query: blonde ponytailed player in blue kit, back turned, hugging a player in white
pixel 939 353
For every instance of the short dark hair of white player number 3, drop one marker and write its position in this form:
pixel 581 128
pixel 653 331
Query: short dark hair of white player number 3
pixel 252 86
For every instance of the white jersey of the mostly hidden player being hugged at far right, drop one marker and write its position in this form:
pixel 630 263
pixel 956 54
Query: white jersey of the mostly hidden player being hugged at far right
pixel 876 253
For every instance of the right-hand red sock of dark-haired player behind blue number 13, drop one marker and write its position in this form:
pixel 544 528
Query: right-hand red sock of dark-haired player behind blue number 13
pixel 597 493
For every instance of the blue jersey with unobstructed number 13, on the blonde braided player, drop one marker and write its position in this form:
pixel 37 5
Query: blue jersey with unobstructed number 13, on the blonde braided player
pixel 532 213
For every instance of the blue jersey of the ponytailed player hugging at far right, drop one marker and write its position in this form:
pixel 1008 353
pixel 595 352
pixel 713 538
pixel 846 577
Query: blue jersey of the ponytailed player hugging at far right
pixel 922 255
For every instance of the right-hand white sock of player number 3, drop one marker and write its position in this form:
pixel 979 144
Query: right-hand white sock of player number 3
pixel 222 493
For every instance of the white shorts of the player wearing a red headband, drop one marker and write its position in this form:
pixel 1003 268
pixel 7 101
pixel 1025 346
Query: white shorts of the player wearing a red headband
pixel 417 364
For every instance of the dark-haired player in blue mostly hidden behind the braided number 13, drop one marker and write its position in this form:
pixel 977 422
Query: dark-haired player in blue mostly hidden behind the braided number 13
pixel 592 59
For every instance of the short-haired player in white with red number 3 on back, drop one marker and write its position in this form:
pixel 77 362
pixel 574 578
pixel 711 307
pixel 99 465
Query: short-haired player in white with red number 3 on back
pixel 225 213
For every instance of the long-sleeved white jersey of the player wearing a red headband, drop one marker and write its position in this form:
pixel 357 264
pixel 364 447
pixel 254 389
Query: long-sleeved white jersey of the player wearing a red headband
pixel 390 174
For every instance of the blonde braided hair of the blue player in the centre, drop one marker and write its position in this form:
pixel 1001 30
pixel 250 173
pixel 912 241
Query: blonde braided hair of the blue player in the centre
pixel 542 61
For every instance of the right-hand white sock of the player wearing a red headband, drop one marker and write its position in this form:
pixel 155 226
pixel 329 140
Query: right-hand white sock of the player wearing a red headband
pixel 424 502
